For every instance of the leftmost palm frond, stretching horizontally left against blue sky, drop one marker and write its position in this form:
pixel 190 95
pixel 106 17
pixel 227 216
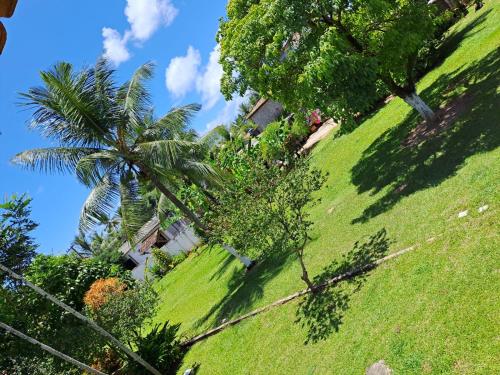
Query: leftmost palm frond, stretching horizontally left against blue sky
pixel 53 159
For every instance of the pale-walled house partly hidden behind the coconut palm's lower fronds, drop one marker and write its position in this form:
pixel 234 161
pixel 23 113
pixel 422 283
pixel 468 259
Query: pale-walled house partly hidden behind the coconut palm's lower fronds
pixel 178 237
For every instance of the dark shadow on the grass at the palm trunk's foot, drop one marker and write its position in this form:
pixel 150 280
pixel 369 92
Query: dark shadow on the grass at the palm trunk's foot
pixel 244 289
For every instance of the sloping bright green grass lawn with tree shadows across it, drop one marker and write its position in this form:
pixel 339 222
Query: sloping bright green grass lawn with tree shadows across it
pixel 435 310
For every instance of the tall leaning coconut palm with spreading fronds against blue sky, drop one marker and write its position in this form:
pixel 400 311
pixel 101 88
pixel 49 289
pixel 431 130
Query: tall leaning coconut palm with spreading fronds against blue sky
pixel 108 135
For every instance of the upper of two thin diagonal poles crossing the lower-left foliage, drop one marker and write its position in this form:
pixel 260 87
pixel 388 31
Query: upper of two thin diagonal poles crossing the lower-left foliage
pixel 85 319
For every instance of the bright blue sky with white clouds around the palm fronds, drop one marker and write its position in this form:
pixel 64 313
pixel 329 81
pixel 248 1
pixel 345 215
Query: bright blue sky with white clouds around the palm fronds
pixel 178 35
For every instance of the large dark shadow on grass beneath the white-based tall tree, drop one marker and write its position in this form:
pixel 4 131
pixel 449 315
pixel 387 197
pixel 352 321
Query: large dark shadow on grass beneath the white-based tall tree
pixel 413 155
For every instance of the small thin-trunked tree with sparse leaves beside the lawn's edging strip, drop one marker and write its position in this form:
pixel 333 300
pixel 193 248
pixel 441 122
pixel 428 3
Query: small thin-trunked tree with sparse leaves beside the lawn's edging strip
pixel 265 209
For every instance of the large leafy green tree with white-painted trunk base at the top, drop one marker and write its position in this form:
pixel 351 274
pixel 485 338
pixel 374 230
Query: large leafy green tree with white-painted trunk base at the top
pixel 327 54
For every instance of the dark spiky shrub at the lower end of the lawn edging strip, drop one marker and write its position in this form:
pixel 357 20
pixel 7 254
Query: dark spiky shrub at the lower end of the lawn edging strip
pixel 161 349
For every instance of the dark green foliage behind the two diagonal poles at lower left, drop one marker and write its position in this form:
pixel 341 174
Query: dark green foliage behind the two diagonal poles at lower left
pixel 67 278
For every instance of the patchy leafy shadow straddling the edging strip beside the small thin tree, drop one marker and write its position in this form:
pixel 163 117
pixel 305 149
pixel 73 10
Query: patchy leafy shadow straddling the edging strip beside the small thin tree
pixel 322 312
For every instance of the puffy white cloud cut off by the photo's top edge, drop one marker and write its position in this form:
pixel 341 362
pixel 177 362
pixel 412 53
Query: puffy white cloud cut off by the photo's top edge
pixel 146 16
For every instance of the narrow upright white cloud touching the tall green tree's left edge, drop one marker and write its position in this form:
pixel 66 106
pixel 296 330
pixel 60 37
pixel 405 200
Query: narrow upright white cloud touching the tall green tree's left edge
pixel 208 83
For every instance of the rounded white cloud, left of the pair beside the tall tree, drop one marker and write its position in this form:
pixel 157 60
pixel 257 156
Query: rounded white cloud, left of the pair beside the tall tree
pixel 182 72
